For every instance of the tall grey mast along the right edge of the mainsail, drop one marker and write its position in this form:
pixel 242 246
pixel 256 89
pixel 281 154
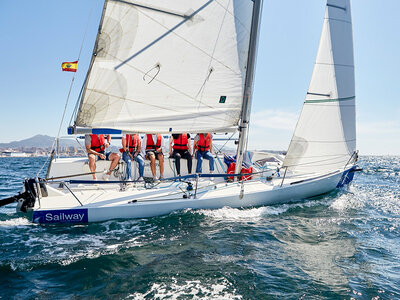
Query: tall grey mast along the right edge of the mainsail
pixel 248 88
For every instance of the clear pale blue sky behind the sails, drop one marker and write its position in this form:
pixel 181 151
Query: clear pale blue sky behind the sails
pixel 36 36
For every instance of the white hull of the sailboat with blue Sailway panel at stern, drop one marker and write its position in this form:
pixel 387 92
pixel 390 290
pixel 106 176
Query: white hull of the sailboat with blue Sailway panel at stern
pixel 108 201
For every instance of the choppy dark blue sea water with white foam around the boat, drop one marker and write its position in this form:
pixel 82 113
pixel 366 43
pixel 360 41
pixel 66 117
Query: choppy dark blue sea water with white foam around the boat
pixel 343 245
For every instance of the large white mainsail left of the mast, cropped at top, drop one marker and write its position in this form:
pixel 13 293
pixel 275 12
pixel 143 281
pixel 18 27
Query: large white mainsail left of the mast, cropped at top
pixel 168 66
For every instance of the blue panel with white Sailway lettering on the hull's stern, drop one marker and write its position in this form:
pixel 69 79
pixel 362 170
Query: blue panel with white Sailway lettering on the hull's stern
pixel 60 216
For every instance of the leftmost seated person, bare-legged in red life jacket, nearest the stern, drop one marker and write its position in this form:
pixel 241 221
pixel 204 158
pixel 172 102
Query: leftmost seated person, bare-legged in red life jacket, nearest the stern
pixel 96 145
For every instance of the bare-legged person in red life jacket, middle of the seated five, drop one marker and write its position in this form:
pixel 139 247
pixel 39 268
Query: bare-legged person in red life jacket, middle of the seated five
pixel 152 149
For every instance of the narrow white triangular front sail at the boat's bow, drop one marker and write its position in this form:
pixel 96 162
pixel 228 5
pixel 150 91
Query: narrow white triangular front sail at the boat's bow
pixel 325 135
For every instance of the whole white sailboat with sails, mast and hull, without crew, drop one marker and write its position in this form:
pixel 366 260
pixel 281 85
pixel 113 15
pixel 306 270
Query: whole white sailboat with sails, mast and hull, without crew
pixel 188 66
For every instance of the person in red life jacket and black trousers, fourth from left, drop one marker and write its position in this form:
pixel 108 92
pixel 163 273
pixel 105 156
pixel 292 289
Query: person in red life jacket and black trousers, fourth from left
pixel 181 148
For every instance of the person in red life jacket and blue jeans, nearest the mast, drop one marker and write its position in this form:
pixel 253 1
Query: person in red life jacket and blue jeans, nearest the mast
pixel 203 147
